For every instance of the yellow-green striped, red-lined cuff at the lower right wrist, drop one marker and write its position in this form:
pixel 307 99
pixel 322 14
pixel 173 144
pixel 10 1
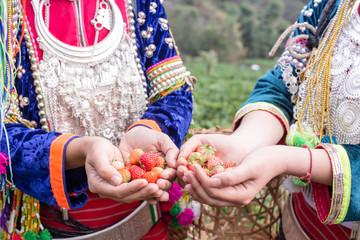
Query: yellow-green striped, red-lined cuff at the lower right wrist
pixel 332 210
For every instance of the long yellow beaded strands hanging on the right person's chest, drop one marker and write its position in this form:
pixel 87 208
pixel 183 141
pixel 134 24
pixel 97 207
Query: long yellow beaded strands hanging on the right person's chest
pixel 318 72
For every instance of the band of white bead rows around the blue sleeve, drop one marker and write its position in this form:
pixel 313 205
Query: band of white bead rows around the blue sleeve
pixel 165 74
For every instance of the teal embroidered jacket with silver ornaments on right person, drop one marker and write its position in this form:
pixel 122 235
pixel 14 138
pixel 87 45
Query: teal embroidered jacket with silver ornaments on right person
pixel 276 92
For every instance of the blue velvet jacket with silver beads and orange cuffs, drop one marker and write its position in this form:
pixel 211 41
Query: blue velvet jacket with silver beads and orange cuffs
pixel 37 156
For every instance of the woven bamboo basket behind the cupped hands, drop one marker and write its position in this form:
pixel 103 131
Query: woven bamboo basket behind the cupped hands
pixel 258 220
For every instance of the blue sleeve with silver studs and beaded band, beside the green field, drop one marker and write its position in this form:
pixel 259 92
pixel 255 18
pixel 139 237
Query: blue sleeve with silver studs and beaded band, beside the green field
pixel 169 84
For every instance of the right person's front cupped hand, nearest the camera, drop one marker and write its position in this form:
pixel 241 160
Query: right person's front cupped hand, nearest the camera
pixel 239 186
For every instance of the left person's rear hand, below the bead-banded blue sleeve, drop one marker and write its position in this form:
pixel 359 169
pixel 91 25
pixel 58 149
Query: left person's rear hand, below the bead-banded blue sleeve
pixel 153 142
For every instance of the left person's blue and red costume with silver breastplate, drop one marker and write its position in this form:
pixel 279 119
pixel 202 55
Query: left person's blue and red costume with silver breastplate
pixel 85 68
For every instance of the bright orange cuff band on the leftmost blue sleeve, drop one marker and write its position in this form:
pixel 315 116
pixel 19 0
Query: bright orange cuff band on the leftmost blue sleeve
pixel 57 169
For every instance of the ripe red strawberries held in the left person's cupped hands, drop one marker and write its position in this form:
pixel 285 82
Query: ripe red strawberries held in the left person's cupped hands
pixel 141 165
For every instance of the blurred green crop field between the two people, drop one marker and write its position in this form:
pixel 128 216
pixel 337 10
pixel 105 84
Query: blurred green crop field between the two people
pixel 217 97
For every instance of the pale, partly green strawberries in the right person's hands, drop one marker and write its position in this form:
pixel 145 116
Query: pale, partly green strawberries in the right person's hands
pixel 204 156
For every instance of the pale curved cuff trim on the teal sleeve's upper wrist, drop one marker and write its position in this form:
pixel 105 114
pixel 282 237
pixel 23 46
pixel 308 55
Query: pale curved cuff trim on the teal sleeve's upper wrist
pixel 263 106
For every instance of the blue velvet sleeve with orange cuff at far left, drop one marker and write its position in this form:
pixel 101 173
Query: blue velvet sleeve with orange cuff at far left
pixel 37 166
